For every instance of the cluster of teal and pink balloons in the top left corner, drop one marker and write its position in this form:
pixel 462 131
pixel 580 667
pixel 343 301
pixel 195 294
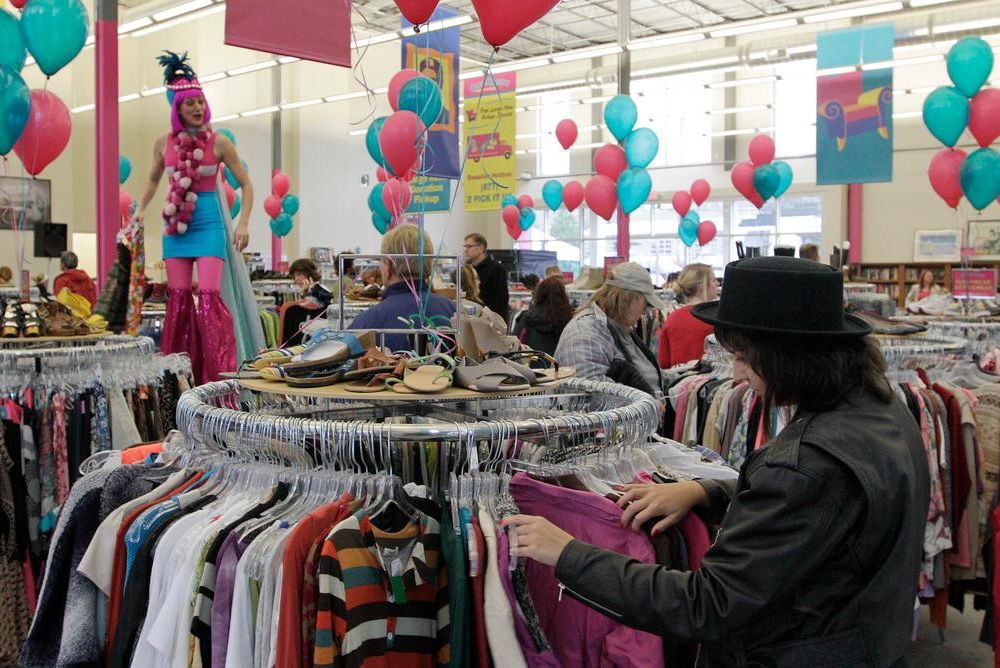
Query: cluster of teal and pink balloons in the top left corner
pixel 36 124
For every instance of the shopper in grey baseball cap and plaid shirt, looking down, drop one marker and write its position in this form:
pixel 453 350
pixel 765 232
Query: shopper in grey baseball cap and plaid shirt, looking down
pixel 600 341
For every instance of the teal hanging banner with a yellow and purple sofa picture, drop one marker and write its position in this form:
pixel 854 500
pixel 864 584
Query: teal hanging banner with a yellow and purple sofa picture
pixel 854 137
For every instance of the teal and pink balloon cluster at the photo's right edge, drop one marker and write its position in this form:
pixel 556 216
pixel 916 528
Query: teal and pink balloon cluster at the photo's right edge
pixel 949 110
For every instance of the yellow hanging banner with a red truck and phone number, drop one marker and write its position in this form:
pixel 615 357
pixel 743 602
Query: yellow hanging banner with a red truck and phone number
pixel 490 127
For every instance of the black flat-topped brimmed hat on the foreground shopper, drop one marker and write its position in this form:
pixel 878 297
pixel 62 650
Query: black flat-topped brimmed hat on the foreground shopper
pixel 783 295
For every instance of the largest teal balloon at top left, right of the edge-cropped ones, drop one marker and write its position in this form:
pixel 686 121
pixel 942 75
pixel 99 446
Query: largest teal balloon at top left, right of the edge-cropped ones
pixel 54 31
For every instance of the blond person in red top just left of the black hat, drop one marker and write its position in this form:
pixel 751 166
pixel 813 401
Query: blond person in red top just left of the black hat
pixel 682 338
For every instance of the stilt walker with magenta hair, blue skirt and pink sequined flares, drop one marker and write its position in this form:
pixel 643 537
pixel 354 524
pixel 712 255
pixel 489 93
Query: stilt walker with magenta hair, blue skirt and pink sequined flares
pixel 195 232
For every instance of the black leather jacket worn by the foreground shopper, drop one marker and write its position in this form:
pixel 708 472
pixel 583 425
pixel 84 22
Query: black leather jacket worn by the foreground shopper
pixel 817 560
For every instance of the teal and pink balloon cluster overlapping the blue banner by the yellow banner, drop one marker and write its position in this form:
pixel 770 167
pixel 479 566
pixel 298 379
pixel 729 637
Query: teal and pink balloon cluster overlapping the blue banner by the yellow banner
pixel 396 143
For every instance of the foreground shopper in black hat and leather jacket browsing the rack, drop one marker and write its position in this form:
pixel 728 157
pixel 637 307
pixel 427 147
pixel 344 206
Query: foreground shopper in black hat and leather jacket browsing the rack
pixel 817 560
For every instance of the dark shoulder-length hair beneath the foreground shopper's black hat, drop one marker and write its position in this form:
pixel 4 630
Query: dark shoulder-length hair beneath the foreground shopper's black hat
pixel 815 374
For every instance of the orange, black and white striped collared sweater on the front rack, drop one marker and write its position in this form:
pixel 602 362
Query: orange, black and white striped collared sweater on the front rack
pixel 362 619
